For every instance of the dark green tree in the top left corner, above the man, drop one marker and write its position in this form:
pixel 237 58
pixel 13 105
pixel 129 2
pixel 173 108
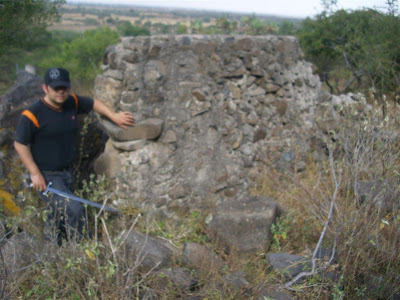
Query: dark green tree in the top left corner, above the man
pixel 23 22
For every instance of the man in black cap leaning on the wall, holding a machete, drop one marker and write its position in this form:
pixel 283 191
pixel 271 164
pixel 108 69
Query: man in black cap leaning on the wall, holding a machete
pixel 46 139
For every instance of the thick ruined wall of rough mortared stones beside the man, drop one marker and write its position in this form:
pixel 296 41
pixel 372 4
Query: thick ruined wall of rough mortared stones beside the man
pixel 220 109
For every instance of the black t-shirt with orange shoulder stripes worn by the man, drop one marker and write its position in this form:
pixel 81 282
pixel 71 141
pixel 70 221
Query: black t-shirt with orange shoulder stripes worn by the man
pixel 50 133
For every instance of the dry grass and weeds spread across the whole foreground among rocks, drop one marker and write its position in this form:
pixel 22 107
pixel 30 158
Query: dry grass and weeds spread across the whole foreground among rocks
pixel 367 237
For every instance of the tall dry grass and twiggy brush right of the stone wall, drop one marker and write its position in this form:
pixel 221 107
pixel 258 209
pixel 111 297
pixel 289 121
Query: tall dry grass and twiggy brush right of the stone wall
pixel 366 233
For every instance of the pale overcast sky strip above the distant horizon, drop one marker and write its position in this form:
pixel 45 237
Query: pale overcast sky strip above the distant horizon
pixel 294 8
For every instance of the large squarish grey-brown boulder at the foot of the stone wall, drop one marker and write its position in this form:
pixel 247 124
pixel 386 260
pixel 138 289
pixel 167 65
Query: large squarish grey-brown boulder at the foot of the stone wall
pixel 244 224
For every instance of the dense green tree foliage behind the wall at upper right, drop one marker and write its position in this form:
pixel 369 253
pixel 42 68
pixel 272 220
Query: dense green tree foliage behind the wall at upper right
pixel 363 43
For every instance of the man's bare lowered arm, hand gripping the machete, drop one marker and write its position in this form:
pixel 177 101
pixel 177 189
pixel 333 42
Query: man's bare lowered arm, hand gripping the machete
pixel 25 154
